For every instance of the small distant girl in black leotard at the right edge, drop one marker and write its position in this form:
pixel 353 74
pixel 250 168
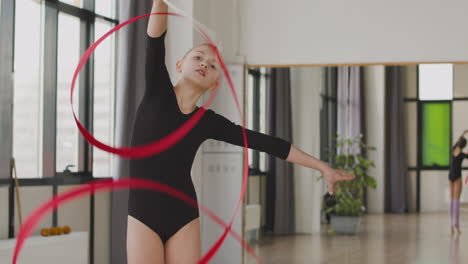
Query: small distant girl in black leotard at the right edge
pixel 455 182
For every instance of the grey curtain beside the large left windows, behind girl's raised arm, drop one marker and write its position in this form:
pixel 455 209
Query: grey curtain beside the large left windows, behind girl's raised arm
pixel 130 88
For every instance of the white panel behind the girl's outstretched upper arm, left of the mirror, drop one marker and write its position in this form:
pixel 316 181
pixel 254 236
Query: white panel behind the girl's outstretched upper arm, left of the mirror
pixel 221 175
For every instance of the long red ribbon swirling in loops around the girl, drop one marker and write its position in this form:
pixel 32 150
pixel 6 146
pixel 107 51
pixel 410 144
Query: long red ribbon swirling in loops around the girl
pixel 141 152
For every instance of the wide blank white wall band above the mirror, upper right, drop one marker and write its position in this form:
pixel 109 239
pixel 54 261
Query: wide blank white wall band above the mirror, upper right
pixel 341 31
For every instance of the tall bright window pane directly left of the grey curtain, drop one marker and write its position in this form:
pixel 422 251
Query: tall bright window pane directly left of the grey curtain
pixel 103 123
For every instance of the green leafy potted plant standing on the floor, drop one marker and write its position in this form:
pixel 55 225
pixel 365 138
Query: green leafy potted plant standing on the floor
pixel 346 205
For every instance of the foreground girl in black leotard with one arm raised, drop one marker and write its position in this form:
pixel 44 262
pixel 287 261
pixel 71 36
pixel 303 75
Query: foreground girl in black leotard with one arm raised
pixel 163 229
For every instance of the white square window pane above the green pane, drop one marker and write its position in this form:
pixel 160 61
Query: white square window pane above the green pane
pixel 436 82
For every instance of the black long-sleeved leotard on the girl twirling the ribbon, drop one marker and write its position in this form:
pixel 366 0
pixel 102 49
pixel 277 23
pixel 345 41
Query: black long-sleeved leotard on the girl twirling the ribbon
pixel 158 115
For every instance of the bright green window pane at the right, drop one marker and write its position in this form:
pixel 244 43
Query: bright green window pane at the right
pixel 436 134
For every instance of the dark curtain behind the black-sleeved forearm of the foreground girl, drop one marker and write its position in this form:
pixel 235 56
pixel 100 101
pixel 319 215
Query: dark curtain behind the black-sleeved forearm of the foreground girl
pixel 280 211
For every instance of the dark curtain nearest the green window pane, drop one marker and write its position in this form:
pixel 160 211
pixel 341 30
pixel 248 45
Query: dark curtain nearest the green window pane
pixel 396 187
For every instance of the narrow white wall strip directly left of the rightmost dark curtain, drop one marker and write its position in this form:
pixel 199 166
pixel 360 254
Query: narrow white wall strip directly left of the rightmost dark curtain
pixel 374 89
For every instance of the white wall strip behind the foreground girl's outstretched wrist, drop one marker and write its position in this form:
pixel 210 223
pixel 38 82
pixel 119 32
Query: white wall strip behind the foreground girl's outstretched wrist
pixel 306 84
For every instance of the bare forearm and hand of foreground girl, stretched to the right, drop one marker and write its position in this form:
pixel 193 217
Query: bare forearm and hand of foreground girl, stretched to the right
pixel 331 175
